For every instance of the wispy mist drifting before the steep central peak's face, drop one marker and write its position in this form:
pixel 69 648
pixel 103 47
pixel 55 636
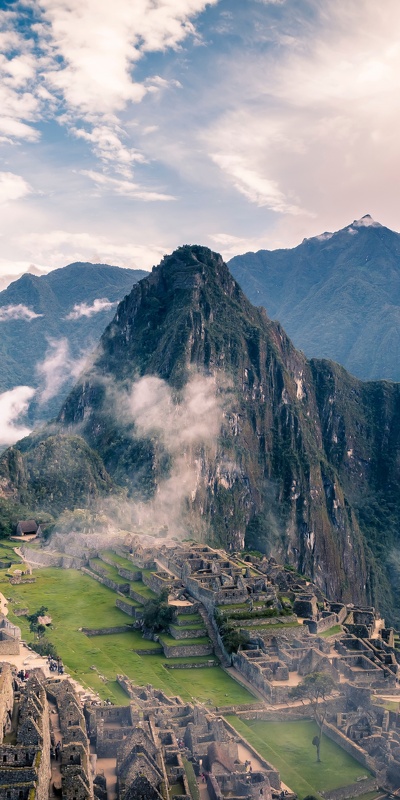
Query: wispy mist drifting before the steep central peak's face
pixel 187 429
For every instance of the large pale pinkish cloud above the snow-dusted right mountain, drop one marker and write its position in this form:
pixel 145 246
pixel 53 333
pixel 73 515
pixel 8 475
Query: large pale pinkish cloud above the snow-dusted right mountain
pixel 307 128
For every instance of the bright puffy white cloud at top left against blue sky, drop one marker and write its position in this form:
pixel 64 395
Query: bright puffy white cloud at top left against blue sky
pixel 93 73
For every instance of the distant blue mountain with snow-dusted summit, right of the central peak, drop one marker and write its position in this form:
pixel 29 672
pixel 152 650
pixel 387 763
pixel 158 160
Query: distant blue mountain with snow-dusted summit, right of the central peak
pixel 337 295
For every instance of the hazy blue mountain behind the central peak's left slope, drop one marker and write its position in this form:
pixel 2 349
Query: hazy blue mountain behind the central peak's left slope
pixel 62 305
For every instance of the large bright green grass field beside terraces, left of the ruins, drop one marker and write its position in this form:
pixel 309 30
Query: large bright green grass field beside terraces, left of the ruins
pixel 74 601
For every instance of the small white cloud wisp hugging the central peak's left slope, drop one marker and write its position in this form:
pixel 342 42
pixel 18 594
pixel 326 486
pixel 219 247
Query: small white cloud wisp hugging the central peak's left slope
pixel 57 368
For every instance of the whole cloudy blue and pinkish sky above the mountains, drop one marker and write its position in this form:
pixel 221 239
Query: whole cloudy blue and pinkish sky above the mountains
pixel 130 127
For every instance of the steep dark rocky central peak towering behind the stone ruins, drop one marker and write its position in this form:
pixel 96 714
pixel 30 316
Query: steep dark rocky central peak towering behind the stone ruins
pixel 306 465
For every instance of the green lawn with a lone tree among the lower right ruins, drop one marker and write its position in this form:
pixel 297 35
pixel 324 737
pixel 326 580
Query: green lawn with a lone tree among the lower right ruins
pixel 287 746
